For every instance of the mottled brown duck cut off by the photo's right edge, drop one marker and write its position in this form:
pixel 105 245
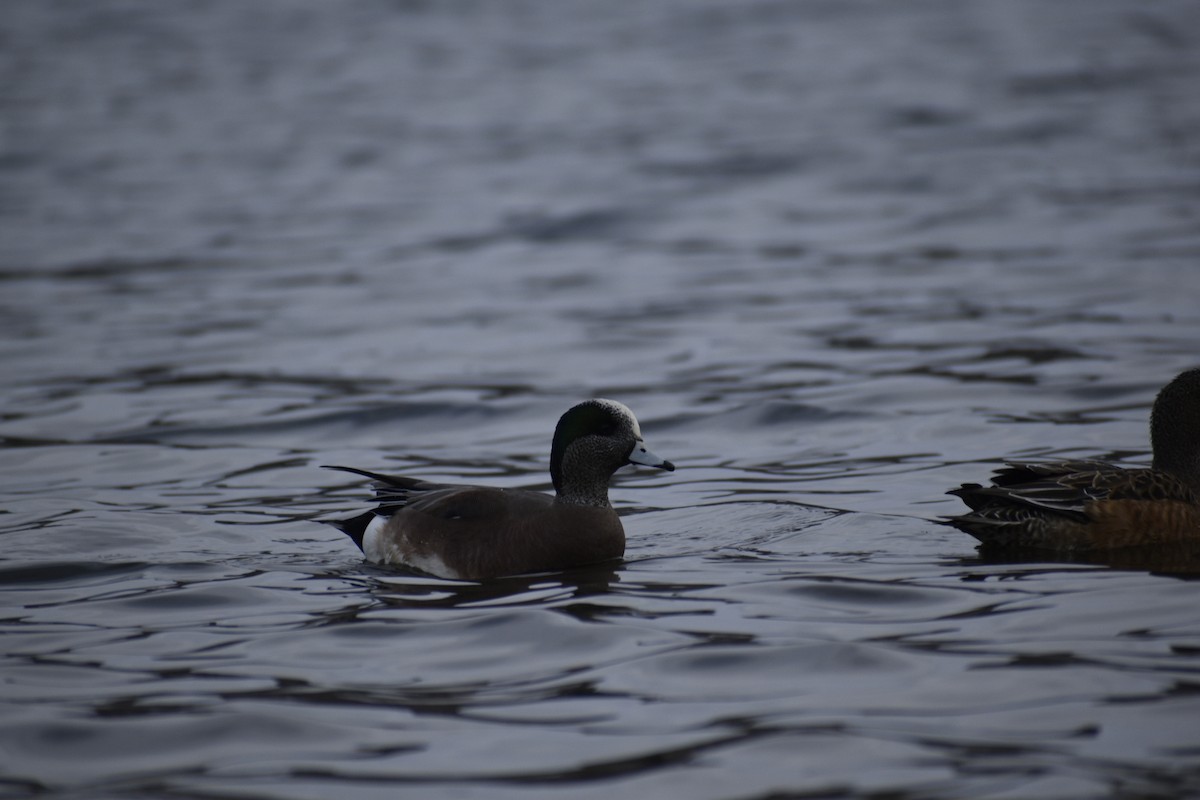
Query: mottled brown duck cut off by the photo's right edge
pixel 1083 507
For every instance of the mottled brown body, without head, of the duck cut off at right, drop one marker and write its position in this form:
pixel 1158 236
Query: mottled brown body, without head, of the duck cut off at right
pixel 1079 507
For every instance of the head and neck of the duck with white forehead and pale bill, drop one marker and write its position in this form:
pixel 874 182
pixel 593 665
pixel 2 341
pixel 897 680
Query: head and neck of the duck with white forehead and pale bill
pixel 592 442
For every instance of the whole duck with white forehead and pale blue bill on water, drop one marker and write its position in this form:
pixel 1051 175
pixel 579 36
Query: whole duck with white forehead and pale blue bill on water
pixel 477 533
